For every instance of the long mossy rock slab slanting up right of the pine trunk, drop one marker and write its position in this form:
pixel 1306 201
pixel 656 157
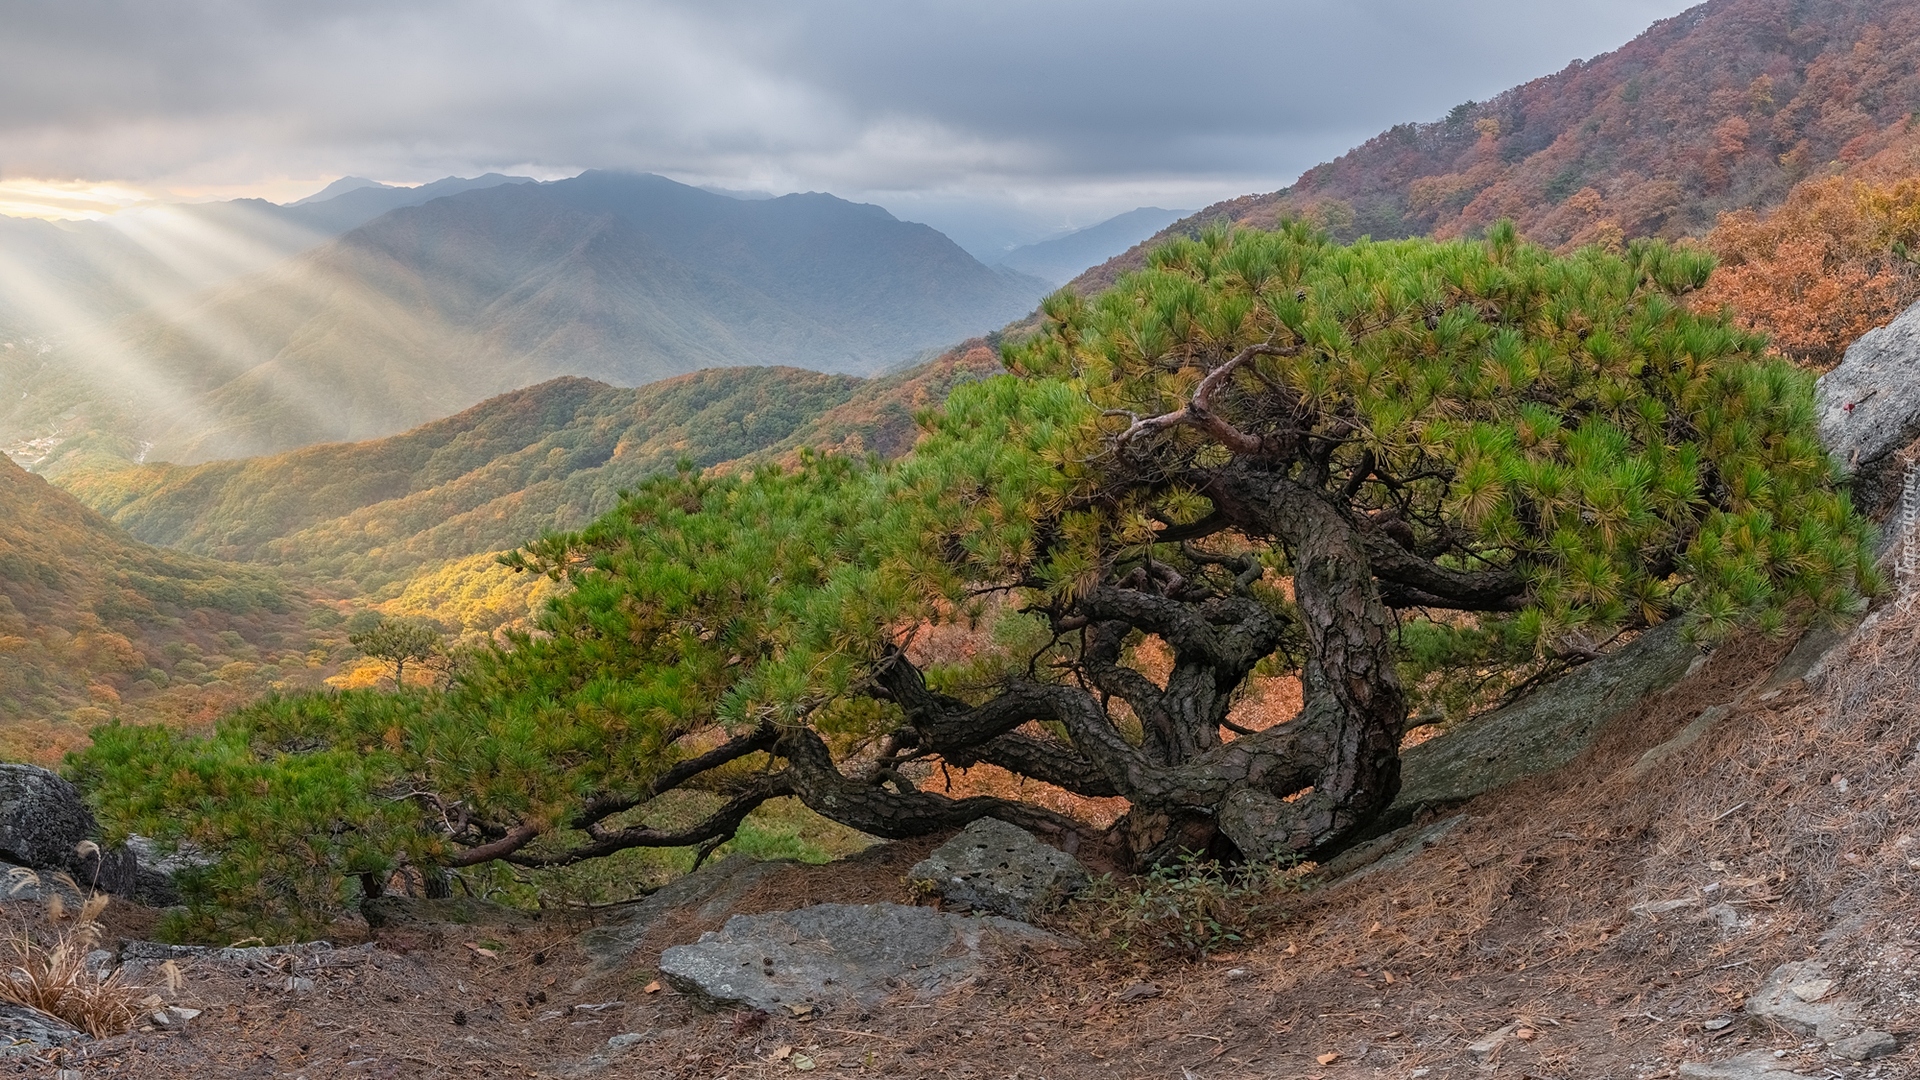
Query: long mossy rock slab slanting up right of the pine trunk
pixel 1543 731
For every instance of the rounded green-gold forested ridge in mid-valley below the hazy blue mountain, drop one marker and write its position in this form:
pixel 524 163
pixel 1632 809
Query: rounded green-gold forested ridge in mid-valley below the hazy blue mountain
pixel 492 478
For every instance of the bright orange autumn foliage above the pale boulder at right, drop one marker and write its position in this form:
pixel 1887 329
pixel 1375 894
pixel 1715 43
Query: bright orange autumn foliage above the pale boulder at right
pixel 1831 264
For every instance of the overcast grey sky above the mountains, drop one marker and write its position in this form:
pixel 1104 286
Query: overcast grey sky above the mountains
pixel 971 114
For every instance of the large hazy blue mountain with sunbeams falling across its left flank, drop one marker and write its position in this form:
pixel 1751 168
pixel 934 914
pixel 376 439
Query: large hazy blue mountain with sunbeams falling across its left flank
pixel 615 278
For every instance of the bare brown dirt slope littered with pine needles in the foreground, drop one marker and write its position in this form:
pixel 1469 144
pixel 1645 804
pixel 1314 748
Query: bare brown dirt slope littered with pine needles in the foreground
pixel 1788 831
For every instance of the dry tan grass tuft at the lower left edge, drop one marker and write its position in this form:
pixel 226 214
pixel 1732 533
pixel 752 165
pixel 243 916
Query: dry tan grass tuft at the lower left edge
pixel 55 979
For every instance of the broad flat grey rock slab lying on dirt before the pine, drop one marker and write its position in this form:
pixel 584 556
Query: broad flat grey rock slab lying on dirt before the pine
pixel 838 954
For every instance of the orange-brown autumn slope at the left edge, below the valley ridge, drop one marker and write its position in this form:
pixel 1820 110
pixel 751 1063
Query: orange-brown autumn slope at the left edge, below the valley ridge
pixel 95 624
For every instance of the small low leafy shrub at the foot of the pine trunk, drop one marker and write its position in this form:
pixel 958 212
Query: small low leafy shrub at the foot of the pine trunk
pixel 1186 910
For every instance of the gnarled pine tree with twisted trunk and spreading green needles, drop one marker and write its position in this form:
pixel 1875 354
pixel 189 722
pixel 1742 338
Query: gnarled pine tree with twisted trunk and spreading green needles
pixel 1370 466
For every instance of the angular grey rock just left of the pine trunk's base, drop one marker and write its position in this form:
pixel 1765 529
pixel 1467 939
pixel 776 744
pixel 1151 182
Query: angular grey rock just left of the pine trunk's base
pixel 1001 870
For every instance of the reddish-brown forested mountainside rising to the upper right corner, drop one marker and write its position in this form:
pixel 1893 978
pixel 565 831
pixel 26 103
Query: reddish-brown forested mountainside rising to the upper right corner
pixel 1725 107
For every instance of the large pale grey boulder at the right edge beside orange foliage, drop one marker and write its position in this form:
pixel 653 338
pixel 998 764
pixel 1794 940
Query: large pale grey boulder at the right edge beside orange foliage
pixel 1869 408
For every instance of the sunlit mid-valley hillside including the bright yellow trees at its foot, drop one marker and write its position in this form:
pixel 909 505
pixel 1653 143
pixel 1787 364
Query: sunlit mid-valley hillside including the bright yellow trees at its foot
pixel 414 522
